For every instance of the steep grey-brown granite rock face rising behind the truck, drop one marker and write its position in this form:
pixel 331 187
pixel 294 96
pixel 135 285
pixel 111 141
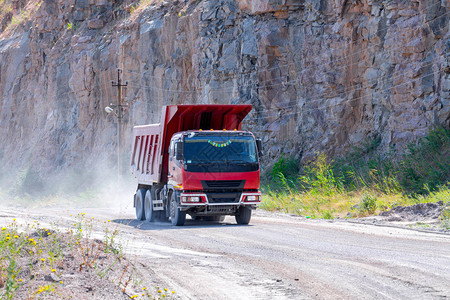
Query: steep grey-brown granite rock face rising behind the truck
pixel 322 75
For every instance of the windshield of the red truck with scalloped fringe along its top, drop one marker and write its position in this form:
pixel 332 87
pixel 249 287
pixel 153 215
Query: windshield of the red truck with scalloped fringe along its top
pixel 224 149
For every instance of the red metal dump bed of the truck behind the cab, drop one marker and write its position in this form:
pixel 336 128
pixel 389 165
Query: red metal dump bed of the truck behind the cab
pixel 149 160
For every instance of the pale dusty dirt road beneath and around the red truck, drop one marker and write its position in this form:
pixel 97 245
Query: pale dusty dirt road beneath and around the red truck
pixel 278 257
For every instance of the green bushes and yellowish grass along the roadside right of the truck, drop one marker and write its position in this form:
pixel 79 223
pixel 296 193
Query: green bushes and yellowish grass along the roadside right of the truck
pixel 363 182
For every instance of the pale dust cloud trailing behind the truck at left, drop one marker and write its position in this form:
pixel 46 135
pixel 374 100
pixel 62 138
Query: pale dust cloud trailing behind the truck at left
pixel 76 188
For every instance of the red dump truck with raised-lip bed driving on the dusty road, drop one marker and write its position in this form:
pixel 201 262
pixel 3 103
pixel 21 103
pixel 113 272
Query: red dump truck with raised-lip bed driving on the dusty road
pixel 197 161
